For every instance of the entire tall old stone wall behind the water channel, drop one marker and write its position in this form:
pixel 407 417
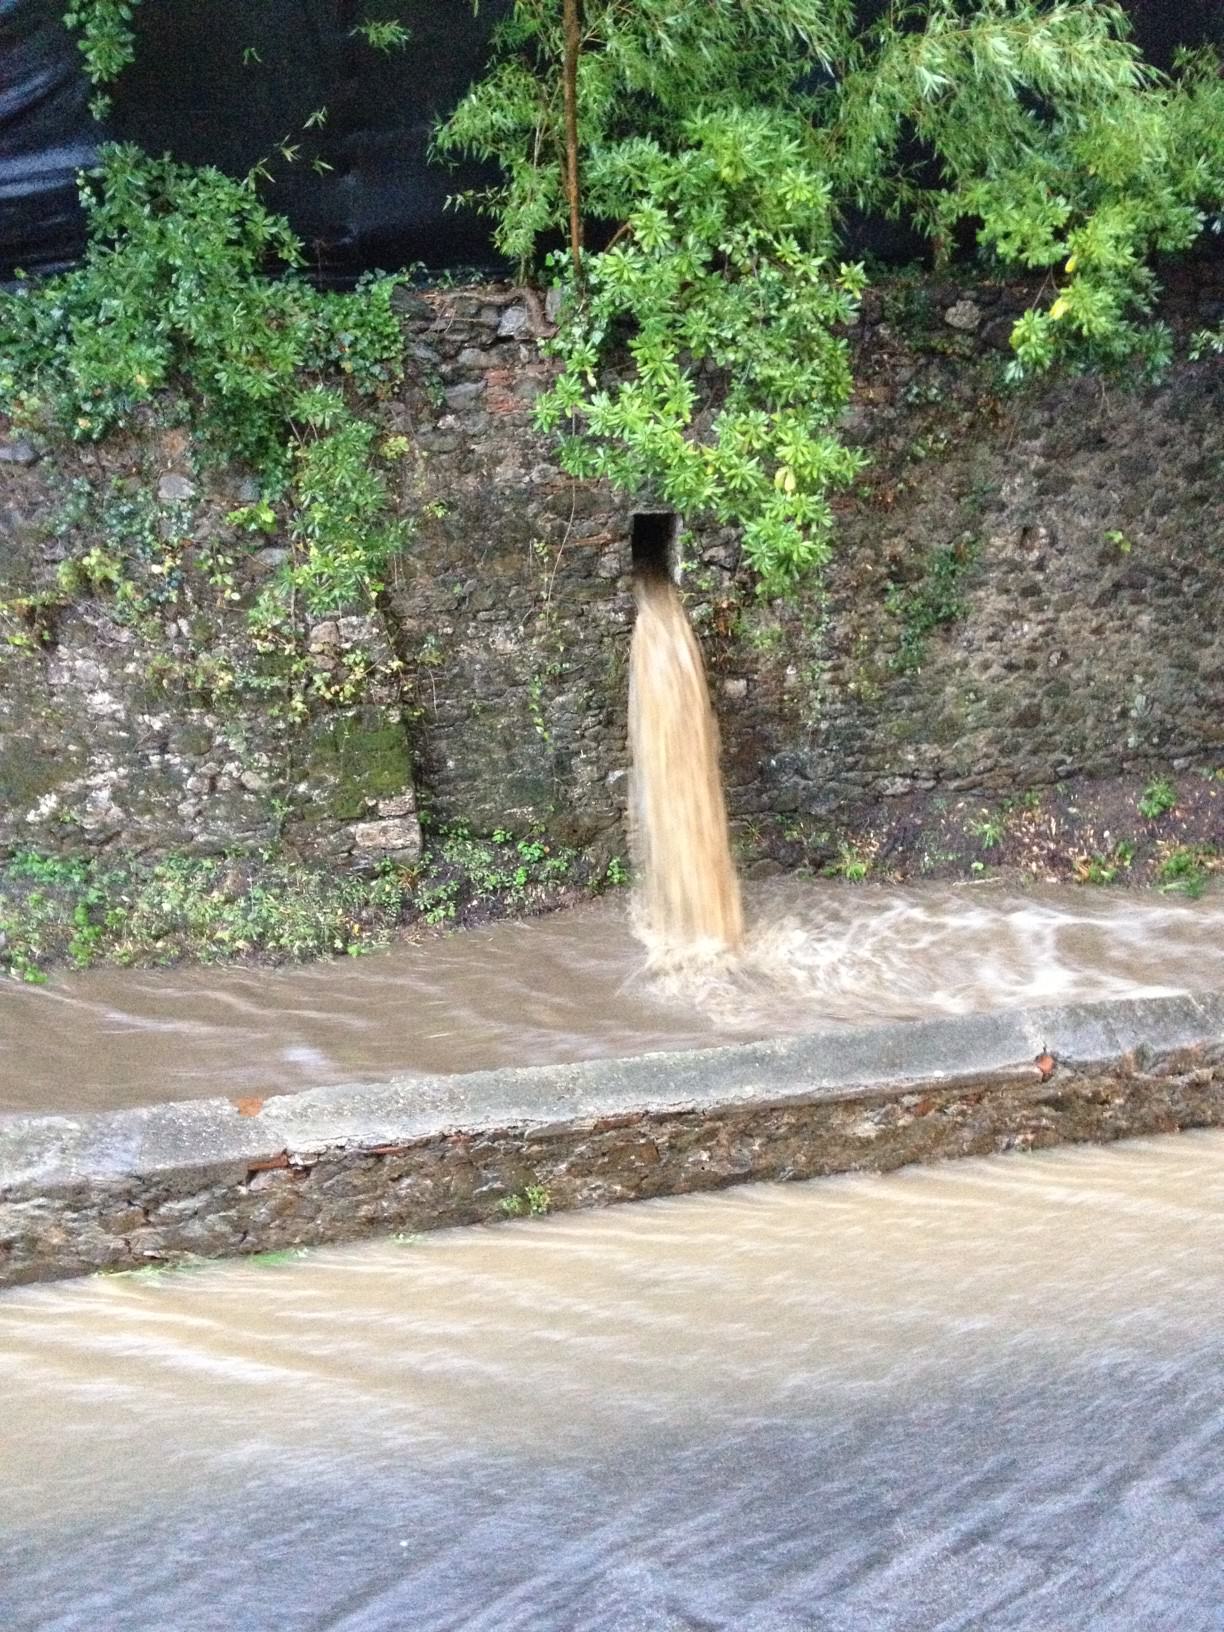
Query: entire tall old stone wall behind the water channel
pixel 1029 592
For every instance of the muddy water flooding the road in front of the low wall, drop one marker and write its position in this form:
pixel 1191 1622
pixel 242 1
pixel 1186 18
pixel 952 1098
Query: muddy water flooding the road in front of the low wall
pixel 972 1398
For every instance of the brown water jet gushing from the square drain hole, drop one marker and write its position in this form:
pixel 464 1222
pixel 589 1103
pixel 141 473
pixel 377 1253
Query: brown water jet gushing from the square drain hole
pixel 688 894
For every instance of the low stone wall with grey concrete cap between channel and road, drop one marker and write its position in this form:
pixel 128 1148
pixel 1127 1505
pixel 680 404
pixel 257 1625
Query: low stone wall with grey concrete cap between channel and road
pixel 221 1177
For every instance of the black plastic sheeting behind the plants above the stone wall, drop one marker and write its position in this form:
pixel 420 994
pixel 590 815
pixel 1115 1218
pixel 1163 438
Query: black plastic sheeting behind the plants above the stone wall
pixel 229 82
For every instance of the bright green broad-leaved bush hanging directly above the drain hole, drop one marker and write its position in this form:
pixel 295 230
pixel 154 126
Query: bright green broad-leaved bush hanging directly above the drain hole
pixel 722 288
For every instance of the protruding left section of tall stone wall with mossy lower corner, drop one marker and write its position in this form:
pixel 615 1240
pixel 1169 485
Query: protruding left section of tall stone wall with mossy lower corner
pixel 135 709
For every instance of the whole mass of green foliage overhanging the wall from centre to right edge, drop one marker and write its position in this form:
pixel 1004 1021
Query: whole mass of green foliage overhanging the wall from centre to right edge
pixel 703 363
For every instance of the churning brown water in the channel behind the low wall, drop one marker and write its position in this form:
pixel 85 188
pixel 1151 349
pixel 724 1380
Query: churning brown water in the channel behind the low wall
pixel 572 987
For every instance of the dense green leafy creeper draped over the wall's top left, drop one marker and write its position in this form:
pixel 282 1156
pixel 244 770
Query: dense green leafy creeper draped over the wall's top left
pixel 174 295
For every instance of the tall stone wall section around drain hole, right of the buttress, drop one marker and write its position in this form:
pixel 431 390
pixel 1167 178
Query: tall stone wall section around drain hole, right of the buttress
pixel 1083 526
